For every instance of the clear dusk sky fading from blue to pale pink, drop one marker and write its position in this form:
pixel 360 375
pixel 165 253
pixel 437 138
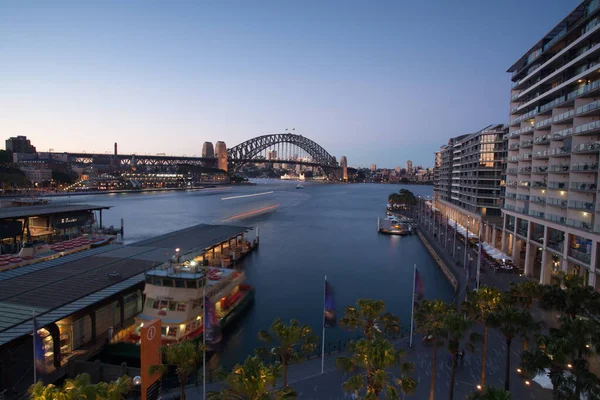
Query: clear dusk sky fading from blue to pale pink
pixel 380 82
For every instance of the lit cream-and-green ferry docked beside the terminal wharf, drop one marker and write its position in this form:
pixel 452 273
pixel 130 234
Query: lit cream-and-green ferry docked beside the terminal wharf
pixel 175 293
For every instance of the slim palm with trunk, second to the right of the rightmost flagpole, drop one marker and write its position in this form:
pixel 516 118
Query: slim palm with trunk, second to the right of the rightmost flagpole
pixel 455 329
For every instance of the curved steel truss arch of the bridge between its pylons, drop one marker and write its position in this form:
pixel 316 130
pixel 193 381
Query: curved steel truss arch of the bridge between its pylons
pixel 248 150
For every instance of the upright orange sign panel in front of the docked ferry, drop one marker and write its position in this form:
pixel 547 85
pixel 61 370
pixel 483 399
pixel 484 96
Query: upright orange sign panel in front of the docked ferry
pixel 150 335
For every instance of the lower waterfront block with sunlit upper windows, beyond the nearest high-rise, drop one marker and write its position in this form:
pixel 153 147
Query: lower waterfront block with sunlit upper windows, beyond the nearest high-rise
pixel 467 180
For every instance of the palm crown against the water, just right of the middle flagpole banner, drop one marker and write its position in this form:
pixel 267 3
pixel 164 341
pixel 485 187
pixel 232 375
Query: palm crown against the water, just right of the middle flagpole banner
pixel 370 317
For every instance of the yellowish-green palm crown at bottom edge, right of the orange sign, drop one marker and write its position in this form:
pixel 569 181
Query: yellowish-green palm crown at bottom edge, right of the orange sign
pixel 253 380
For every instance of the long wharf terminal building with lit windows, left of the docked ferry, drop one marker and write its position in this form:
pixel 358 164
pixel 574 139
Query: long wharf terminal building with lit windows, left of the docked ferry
pixel 76 320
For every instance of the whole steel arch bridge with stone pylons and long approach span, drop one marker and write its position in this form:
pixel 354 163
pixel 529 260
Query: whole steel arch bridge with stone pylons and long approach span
pixel 281 148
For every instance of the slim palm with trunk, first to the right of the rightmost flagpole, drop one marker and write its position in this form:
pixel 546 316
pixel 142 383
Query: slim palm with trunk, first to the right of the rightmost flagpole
pixel 429 319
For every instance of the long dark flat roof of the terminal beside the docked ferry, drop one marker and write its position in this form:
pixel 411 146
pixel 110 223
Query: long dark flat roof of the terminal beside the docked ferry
pixel 58 288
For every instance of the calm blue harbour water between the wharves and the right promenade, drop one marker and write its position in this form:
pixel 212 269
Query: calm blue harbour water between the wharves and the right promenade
pixel 322 229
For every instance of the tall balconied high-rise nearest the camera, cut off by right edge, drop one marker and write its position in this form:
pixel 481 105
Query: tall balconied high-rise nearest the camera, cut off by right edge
pixel 551 212
